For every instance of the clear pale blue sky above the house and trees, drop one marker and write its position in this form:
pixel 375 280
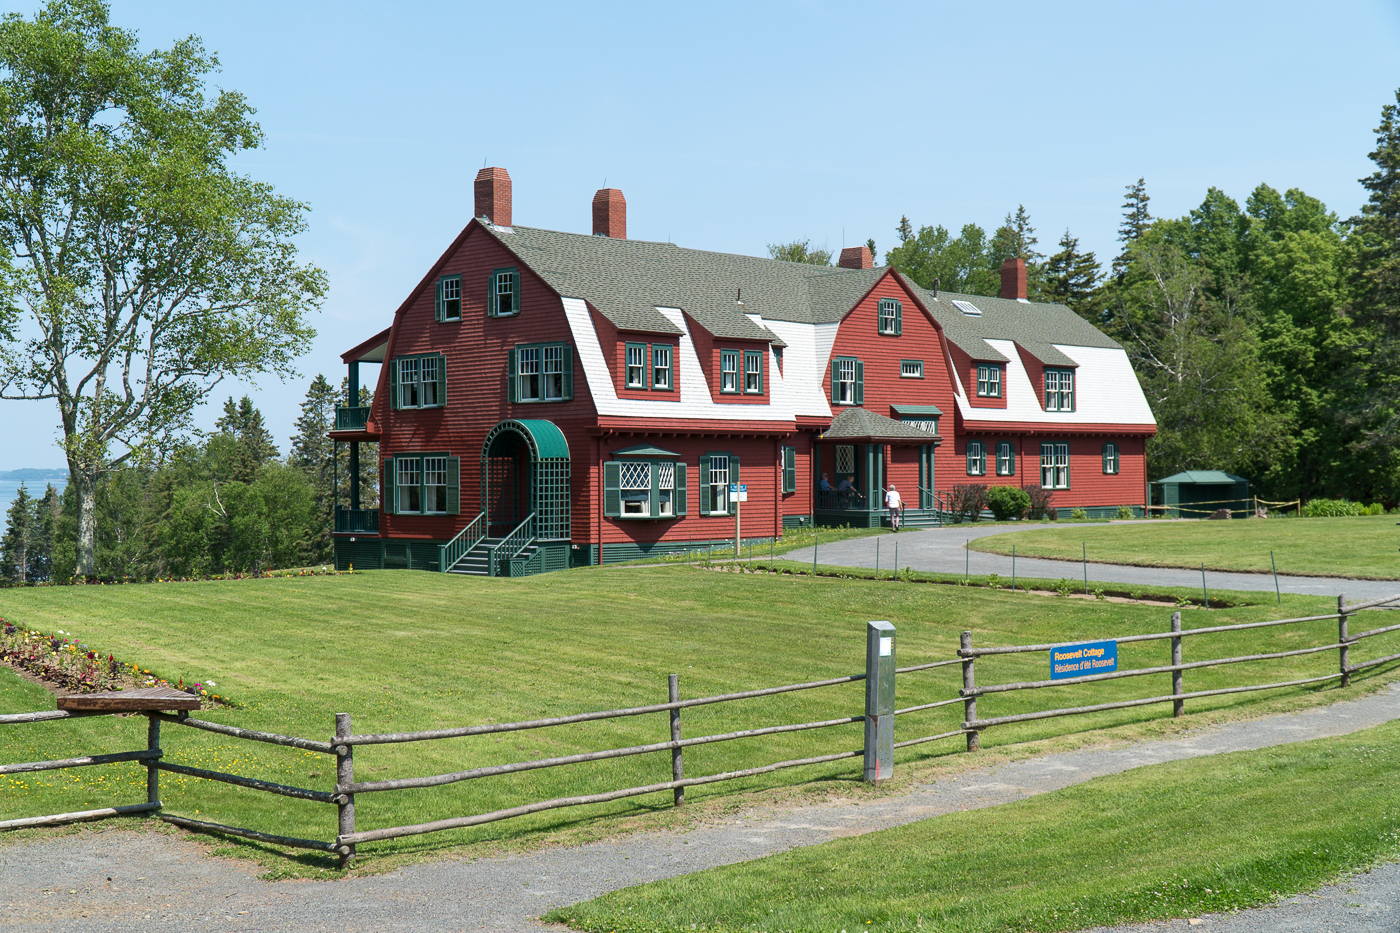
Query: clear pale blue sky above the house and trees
pixel 734 125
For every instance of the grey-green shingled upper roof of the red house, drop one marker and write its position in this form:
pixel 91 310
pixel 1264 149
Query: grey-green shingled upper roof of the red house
pixel 629 279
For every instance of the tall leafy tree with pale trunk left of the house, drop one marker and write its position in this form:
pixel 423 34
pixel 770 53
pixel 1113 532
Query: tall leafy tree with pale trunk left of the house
pixel 136 270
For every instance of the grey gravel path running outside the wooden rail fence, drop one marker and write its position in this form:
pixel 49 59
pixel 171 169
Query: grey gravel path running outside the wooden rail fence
pixel 118 882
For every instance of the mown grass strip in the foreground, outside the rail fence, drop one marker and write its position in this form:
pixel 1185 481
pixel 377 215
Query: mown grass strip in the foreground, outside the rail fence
pixel 1171 841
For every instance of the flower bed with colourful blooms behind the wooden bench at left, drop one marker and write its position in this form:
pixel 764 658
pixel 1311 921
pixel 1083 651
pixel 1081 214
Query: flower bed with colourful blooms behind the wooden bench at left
pixel 69 665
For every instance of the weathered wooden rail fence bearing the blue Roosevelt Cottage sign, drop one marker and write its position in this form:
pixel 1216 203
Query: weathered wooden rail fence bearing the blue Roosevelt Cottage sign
pixel 877 750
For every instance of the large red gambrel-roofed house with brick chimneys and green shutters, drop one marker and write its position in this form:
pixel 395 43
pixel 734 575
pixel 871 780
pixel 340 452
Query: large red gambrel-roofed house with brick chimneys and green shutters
pixel 551 400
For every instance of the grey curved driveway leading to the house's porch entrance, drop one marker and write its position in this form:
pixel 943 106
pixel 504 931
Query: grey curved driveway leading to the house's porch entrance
pixel 943 551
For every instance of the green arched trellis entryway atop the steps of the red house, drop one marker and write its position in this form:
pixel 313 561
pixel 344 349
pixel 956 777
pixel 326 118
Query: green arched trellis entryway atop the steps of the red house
pixel 526 470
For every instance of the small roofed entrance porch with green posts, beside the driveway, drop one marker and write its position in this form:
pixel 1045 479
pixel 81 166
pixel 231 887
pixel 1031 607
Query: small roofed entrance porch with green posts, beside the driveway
pixel 855 457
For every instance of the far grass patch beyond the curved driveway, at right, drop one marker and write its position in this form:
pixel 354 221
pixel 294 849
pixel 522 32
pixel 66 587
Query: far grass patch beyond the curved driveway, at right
pixel 1364 547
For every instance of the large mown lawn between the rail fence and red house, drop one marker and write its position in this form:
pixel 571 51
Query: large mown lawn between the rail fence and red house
pixel 405 651
